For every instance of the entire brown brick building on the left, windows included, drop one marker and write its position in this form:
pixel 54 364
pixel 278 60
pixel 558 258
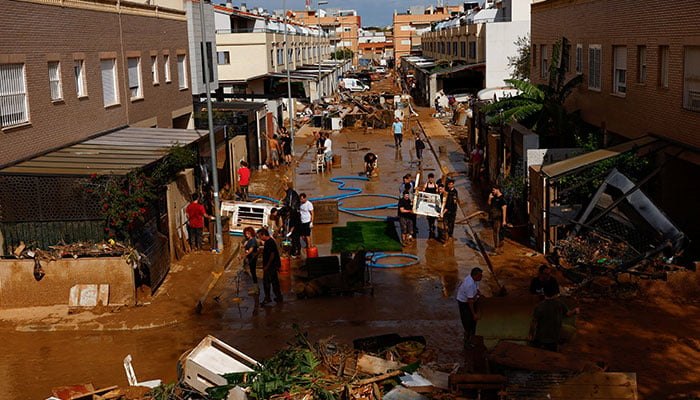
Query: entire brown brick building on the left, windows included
pixel 74 69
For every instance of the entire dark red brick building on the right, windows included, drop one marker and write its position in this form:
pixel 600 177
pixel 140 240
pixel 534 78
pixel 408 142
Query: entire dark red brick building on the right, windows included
pixel 640 63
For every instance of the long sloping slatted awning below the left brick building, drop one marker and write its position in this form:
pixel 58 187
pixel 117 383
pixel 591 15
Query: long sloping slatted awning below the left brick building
pixel 115 153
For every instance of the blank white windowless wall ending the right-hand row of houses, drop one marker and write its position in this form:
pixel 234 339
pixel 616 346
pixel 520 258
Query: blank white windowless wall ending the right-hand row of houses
pixel 500 44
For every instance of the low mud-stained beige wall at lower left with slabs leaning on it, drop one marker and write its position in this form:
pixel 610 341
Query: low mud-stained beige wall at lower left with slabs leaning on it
pixel 18 288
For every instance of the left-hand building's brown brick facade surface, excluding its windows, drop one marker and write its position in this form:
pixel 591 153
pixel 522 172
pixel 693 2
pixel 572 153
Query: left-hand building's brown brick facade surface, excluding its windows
pixel 43 33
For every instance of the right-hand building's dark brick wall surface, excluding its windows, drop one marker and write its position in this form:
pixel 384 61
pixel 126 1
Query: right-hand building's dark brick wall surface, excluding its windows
pixel 646 107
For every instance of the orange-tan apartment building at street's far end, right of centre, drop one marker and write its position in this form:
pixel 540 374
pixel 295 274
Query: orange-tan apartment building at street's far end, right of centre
pixel 409 26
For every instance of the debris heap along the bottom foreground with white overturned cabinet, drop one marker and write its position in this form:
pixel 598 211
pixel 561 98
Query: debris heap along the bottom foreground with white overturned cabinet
pixel 387 367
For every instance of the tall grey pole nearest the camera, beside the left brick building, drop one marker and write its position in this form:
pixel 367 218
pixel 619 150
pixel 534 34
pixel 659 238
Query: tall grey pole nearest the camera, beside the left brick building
pixel 212 139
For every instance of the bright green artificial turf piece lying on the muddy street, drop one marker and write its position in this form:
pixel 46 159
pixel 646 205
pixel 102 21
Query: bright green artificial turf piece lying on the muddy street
pixel 366 235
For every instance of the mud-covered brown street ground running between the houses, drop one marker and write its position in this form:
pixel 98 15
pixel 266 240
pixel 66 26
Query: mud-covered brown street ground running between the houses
pixel 417 300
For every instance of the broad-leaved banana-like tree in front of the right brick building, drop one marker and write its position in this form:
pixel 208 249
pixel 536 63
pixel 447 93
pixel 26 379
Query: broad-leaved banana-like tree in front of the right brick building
pixel 541 107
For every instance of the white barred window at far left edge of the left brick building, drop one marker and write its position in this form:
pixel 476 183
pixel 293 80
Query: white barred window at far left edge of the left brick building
pixel 13 95
